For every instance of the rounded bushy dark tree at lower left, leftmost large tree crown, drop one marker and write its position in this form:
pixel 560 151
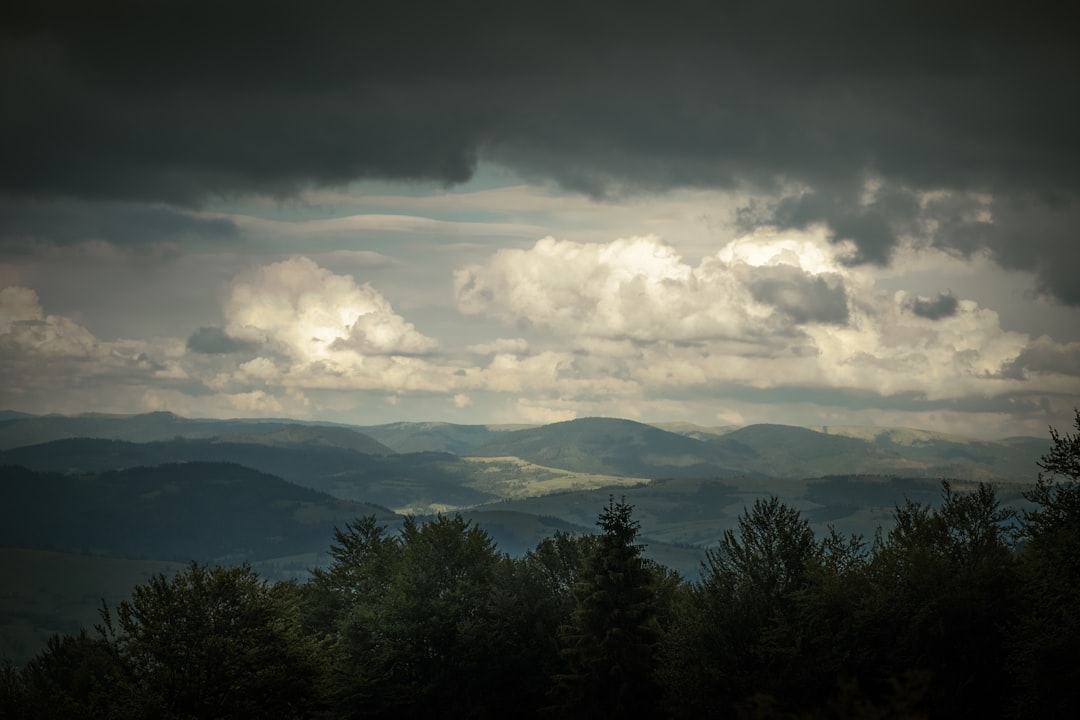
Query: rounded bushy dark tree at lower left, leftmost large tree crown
pixel 217 643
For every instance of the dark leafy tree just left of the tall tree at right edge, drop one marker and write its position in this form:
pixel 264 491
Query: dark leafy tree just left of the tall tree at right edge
pixel 944 599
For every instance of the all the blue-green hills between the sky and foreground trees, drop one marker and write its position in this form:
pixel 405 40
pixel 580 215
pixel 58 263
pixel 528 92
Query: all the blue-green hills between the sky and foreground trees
pixel 167 490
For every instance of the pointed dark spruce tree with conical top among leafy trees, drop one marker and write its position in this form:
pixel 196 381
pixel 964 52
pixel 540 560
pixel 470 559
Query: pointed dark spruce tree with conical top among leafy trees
pixel 610 646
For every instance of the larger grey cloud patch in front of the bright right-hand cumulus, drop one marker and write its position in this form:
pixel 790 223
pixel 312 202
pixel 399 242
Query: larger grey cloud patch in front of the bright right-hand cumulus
pixel 804 298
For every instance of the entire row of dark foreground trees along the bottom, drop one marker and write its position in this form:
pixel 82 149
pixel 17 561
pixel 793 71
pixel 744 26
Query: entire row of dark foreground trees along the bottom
pixel 967 609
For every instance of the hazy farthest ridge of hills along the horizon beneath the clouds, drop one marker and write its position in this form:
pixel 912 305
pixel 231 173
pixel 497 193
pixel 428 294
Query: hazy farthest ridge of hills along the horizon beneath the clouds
pixel 603 446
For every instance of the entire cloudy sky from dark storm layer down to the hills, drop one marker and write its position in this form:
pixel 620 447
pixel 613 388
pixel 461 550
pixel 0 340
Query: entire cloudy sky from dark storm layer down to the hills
pixel 720 213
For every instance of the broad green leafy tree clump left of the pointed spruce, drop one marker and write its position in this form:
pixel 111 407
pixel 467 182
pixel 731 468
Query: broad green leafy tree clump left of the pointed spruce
pixel 415 613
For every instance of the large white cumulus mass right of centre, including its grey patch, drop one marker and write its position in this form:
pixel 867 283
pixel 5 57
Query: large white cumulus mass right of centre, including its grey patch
pixel 768 310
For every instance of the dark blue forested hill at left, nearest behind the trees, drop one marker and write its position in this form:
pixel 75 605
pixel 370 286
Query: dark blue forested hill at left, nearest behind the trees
pixel 208 512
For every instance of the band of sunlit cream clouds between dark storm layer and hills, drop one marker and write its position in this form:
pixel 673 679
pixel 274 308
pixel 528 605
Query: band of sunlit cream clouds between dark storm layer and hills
pixel 634 325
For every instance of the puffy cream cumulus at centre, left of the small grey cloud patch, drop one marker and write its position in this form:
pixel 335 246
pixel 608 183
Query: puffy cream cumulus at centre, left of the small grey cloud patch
pixel 638 289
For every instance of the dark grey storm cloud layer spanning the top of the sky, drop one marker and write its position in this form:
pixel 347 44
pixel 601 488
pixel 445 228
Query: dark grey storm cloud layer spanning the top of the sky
pixel 181 102
